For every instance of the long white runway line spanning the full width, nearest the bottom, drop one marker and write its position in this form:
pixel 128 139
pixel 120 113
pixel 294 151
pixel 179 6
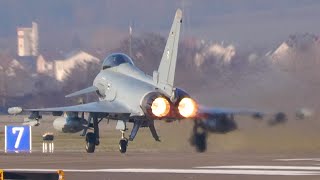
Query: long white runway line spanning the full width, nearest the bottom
pixel 181 171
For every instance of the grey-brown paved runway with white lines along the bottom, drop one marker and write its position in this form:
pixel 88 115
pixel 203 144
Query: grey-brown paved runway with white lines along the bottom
pixel 157 165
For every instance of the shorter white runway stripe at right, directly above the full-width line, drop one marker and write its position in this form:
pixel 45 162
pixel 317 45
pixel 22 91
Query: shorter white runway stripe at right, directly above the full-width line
pixel 262 167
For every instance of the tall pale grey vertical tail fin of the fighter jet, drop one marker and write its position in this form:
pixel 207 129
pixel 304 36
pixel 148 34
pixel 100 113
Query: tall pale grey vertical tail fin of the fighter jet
pixel 167 67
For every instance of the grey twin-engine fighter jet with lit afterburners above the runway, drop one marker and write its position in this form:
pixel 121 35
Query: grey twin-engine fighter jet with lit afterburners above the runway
pixel 128 95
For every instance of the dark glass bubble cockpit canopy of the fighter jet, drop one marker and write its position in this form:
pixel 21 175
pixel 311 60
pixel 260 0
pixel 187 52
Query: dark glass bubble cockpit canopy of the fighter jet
pixel 115 60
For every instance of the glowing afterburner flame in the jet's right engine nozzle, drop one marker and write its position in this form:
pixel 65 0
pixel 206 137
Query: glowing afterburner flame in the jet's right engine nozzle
pixel 187 107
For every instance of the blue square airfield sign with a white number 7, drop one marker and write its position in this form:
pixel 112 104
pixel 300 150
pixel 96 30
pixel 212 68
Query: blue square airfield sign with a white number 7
pixel 18 139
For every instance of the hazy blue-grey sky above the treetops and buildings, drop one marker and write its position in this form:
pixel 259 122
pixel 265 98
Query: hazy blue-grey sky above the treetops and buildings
pixel 239 21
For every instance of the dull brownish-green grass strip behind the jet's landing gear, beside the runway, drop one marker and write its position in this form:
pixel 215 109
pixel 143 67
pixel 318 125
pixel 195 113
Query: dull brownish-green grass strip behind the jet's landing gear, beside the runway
pixel 252 136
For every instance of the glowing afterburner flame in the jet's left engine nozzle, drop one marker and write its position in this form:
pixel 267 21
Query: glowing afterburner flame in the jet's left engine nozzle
pixel 160 107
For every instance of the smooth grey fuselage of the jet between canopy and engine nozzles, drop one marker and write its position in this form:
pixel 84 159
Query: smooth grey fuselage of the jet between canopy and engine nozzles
pixel 127 85
